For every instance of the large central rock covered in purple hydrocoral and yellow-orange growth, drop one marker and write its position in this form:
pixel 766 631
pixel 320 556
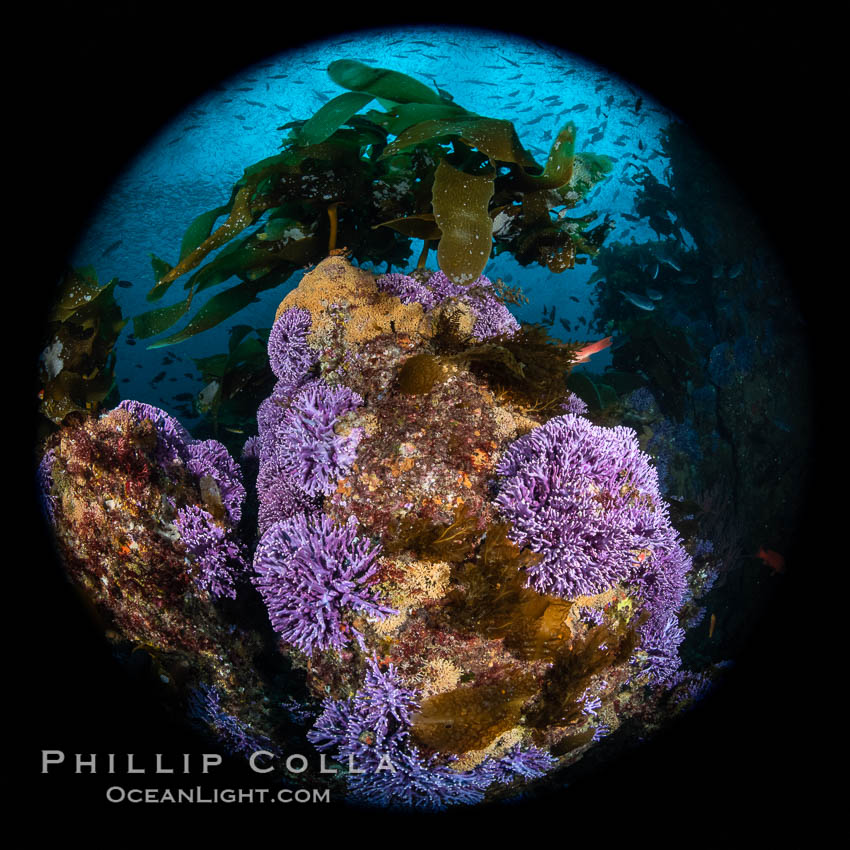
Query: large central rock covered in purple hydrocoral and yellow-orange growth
pixel 416 587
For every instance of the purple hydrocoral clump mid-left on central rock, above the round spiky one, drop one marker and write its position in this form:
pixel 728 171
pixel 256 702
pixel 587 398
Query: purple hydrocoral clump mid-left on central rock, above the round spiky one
pixel 307 447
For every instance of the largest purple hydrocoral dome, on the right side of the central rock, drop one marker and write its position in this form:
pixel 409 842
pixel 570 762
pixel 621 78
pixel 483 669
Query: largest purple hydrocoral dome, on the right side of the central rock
pixel 586 498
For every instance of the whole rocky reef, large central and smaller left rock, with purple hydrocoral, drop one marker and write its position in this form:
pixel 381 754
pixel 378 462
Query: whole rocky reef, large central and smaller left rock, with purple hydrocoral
pixel 472 589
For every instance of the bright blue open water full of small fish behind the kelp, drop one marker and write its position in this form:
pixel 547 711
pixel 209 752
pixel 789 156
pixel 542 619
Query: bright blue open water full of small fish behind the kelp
pixel 191 165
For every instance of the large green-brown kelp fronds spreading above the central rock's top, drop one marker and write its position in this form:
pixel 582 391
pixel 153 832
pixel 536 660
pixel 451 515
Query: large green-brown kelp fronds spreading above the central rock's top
pixel 421 165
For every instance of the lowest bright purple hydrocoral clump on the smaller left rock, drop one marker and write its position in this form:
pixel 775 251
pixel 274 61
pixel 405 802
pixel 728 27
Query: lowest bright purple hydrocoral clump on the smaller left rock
pixel 217 556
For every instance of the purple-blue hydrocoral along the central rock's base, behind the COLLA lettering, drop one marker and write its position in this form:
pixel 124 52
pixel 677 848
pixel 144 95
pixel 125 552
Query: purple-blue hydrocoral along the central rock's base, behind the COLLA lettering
pixel 371 730
